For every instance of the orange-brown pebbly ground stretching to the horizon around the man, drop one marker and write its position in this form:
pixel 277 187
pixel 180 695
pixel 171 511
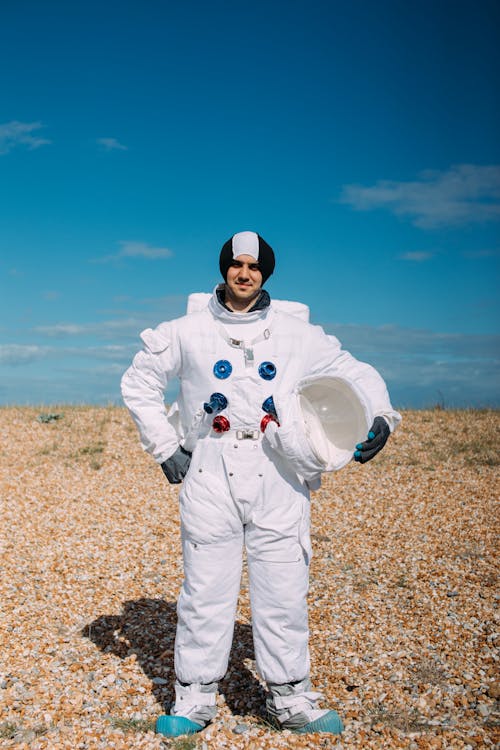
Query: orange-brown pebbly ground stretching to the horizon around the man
pixel 403 618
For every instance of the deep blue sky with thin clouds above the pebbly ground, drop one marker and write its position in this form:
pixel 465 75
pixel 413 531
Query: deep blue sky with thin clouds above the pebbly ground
pixel 359 139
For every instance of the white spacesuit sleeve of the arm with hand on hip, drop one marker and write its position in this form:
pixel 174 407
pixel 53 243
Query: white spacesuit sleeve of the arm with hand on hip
pixel 143 386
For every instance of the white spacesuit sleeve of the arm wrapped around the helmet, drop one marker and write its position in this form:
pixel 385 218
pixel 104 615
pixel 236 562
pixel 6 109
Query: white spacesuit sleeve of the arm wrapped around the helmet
pixel 329 358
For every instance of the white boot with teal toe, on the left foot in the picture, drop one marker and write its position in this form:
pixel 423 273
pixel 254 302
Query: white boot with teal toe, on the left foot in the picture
pixel 194 707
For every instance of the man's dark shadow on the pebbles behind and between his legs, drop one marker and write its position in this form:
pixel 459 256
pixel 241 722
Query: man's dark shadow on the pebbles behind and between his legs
pixel 146 628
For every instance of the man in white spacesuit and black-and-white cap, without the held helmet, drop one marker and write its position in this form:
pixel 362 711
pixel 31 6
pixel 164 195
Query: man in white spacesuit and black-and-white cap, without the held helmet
pixel 230 437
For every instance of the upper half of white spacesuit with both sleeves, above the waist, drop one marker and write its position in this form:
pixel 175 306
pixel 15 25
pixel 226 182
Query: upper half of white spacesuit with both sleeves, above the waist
pixel 246 357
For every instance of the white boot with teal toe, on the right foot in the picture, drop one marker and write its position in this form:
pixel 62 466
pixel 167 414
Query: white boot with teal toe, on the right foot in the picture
pixel 294 706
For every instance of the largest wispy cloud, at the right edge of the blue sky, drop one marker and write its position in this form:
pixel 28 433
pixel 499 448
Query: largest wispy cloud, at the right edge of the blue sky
pixel 463 194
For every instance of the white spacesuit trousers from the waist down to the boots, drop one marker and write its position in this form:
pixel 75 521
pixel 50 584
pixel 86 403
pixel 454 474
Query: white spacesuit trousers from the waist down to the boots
pixel 235 495
